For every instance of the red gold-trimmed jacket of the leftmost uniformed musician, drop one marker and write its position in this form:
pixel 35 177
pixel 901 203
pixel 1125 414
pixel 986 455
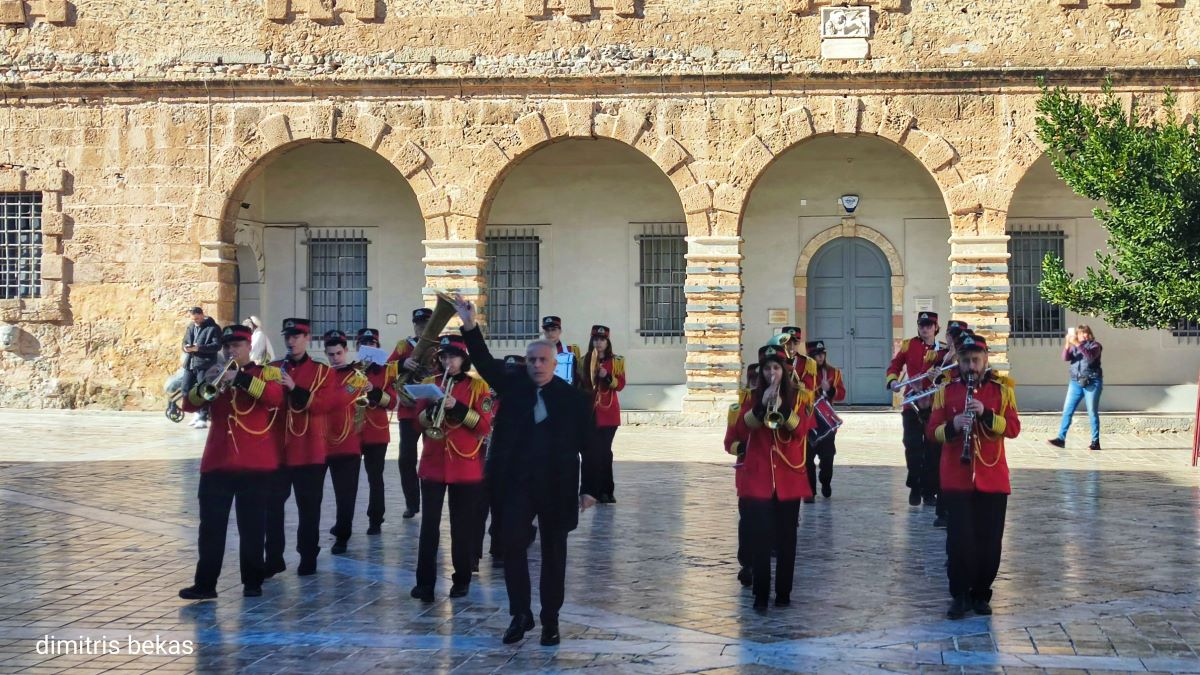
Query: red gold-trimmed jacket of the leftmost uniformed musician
pixel 242 419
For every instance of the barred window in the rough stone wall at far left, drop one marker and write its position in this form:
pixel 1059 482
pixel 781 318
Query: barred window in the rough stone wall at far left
pixel 21 246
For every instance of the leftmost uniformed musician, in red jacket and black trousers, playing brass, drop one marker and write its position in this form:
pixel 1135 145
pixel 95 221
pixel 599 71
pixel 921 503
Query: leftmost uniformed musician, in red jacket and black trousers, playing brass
pixel 236 470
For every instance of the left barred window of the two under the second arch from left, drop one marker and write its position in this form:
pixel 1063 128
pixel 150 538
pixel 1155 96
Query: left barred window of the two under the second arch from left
pixel 514 283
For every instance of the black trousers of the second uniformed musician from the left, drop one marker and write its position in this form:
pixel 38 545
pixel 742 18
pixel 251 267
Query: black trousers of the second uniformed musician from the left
pixel 309 485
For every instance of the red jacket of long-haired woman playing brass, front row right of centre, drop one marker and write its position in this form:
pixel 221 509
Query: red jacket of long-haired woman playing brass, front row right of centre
pixel 775 459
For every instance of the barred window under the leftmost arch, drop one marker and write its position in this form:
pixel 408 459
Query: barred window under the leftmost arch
pixel 338 282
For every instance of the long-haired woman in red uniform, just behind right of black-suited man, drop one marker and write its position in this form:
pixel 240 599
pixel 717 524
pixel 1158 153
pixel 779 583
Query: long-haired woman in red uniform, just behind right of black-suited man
pixel 604 377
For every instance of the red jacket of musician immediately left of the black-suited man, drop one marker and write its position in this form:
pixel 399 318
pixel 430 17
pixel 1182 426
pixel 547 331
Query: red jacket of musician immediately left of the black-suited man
pixel 459 457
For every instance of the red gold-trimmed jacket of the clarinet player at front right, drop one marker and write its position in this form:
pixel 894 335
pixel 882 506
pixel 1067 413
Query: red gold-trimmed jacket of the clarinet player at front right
pixel 988 471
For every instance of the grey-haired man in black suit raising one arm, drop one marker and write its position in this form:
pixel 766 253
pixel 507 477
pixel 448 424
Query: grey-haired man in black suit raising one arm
pixel 539 437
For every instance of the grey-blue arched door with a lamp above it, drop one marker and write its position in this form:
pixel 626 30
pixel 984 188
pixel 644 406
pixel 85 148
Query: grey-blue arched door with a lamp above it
pixel 850 308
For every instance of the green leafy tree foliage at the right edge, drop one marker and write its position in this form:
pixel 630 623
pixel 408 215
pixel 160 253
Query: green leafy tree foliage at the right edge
pixel 1148 177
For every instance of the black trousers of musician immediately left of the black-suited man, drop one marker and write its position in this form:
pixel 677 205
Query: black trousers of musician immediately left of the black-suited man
pixel 464 523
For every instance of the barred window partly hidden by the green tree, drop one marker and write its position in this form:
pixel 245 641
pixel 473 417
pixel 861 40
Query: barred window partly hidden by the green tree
pixel 1031 315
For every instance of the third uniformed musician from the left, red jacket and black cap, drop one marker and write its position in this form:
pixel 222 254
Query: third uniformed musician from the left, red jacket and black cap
pixel 347 385
